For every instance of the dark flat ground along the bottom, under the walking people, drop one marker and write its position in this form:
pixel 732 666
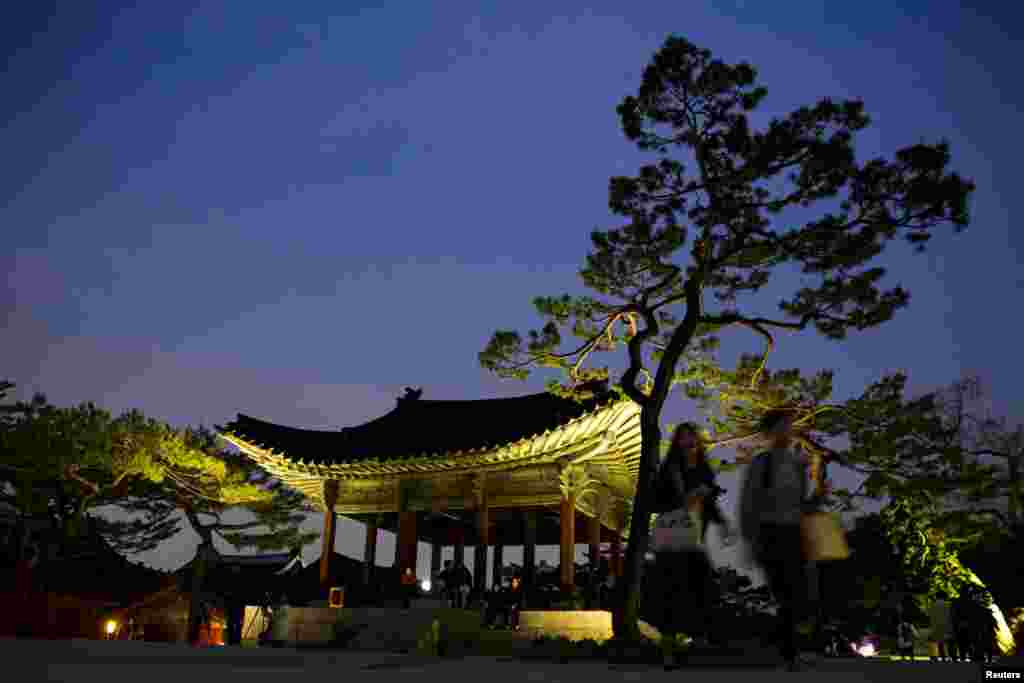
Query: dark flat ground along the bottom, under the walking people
pixel 86 662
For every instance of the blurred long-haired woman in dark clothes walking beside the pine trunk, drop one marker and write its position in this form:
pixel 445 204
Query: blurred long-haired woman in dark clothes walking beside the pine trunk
pixel 688 483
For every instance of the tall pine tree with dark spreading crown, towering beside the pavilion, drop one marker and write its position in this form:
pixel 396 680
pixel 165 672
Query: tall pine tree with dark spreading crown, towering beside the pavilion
pixel 721 210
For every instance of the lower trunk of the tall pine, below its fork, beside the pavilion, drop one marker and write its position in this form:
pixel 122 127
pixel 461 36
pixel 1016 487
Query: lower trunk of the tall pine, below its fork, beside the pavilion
pixel 627 611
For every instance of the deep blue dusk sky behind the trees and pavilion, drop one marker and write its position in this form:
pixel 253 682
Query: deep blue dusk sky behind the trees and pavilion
pixel 211 208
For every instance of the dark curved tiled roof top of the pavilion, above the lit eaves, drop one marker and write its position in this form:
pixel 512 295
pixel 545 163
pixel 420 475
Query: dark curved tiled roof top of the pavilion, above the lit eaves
pixel 416 428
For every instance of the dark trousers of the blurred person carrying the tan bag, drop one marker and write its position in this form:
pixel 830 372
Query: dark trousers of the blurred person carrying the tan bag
pixel 780 552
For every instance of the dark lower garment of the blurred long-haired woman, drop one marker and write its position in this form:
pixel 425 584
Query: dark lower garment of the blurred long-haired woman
pixel 686 592
